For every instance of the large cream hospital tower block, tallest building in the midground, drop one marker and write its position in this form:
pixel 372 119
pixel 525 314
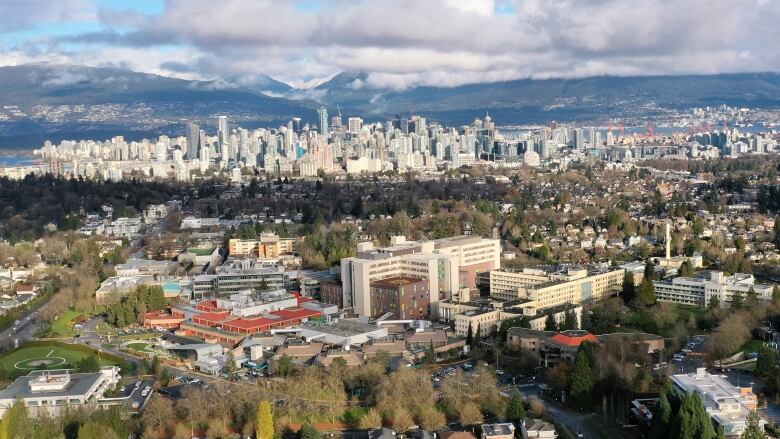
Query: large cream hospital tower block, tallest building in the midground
pixel 448 265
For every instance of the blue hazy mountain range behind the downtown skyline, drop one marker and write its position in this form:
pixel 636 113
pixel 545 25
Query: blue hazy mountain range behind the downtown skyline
pixel 43 101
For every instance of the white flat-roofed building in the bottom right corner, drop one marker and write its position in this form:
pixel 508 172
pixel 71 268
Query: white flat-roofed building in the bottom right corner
pixel 726 404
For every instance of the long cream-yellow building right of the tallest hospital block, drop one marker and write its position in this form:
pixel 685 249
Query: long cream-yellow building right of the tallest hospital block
pixel 545 288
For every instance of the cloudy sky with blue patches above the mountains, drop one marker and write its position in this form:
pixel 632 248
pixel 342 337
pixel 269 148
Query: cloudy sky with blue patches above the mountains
pixel 399 43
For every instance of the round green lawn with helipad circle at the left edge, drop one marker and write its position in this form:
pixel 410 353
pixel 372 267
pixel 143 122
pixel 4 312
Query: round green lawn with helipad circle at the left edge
pixel 48 355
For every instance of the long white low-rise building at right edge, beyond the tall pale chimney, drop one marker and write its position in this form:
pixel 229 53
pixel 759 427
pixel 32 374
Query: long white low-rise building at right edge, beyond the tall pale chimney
pixel 700 290
